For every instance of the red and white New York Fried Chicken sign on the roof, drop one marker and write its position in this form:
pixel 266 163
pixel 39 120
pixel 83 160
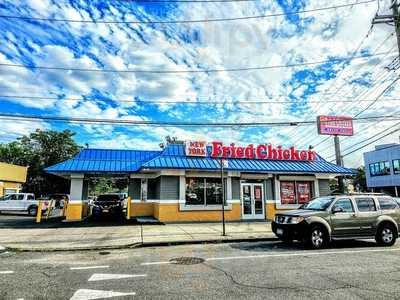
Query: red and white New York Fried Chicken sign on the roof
pixel 261 151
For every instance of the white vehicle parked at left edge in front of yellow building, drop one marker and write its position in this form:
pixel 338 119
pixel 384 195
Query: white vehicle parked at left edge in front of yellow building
pixel 21 202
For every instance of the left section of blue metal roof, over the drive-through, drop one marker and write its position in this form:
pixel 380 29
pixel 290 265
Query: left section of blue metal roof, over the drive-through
pixel 103 160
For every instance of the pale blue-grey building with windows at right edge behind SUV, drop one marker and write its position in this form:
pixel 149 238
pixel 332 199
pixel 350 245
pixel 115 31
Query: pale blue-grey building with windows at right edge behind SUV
pixel 382 169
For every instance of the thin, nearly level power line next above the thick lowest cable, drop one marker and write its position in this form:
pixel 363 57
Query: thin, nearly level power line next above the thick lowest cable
pixel 196 102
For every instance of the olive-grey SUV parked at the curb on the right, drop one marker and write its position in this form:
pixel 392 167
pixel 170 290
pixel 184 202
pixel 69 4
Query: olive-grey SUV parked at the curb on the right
pixel 336 217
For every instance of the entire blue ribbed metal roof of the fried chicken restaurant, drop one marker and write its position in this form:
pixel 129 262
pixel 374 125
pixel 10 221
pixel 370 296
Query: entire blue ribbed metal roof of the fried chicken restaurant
pixel 173 157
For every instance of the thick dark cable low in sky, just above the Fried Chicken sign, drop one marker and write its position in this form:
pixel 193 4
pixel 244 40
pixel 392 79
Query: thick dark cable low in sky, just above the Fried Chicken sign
pixel 7 116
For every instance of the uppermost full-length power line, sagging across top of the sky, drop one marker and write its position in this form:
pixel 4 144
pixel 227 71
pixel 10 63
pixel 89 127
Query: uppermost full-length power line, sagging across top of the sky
pixel 99 21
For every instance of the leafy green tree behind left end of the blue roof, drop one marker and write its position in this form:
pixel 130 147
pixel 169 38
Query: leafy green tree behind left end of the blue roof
pixel 39 150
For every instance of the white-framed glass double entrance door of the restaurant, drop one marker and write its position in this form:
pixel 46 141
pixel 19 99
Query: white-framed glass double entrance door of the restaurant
pixel 252 196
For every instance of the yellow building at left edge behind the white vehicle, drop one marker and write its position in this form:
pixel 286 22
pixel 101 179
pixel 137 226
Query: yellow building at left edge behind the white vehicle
pixel 11 178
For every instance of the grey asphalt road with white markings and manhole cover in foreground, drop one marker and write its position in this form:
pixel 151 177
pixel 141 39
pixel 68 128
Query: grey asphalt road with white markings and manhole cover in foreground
pixel 263 270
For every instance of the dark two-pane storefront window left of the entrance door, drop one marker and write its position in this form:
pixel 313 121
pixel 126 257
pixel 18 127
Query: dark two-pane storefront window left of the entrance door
pixel 203 191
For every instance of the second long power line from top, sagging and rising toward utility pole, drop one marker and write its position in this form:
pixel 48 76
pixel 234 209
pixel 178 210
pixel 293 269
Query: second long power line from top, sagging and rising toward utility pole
pixel 332 60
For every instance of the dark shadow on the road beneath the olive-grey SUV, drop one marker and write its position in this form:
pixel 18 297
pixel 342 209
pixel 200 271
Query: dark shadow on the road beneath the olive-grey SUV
pixel 266 246
